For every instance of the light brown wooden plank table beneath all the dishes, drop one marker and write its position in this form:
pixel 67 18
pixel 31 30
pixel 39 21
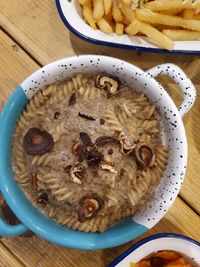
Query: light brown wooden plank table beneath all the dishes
pixel 32 35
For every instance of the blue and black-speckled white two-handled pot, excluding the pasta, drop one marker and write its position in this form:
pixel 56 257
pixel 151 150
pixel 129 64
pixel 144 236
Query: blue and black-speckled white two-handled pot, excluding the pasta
pixel 173 134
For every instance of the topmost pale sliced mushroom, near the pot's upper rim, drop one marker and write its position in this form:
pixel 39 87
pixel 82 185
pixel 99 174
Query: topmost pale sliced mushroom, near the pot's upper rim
pixel 107 83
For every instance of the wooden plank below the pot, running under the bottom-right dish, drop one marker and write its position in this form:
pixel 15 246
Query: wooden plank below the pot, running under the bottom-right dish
pixel 37 252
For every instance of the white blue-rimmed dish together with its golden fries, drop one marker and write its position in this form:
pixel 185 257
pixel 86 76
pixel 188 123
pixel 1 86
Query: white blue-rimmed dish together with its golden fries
pixel 153 26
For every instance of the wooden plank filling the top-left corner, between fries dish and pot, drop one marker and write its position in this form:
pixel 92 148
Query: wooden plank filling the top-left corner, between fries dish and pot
pixel 37 26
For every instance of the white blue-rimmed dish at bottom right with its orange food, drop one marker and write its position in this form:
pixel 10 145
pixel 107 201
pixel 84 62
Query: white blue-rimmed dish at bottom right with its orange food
pixel 161 250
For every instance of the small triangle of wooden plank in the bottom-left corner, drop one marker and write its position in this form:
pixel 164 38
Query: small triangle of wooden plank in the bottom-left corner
pixel 8 259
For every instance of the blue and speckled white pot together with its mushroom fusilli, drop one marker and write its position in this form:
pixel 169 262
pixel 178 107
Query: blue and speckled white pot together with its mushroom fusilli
pixel 95 151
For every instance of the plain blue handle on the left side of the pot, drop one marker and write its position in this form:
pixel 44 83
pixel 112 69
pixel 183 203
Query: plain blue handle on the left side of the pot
pixel 11 230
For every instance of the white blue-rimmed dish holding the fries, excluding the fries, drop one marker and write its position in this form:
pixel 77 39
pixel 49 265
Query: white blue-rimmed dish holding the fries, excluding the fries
pixel 70 12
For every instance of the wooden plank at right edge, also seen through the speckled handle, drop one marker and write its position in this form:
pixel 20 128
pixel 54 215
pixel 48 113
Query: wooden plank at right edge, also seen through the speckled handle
pixel 191 186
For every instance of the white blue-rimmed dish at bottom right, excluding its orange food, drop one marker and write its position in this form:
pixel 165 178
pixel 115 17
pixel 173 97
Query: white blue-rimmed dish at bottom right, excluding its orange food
pixel 179 243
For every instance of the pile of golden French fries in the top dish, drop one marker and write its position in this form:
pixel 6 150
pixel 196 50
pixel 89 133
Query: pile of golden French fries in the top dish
pixel 161 21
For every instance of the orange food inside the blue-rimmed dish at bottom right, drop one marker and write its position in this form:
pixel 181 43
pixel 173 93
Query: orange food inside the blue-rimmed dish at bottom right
pixel 165 258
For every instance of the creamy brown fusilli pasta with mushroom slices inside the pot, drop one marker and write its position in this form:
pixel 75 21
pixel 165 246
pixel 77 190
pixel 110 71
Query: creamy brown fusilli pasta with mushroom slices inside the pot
pixel 88 152
